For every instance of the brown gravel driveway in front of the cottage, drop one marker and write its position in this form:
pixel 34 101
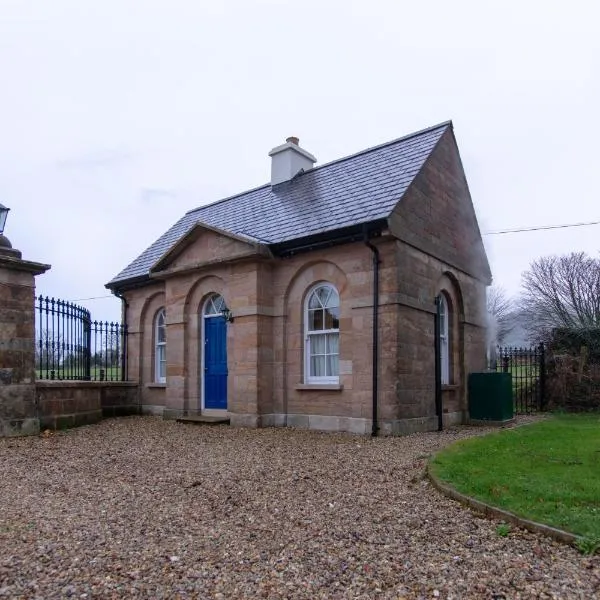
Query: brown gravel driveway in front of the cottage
pixel 139 507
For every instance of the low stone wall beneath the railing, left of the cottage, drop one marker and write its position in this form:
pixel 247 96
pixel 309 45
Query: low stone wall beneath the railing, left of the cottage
pixel 63 404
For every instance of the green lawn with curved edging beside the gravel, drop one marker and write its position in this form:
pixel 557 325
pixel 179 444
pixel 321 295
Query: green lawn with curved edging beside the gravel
pixel 548 471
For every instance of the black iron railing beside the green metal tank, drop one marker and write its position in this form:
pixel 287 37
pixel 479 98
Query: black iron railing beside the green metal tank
pixel 528 369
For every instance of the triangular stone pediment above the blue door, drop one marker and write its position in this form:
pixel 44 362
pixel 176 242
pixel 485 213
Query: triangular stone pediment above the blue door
pixel 204 245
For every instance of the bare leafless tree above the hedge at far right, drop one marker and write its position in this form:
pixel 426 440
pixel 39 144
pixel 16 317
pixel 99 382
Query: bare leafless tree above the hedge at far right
pixel 561 292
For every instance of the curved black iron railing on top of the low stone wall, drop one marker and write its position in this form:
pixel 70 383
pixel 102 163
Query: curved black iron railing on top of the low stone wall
pixel 69 345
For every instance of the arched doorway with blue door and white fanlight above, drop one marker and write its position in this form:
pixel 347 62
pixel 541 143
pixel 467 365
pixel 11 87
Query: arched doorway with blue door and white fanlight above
pixel 214 354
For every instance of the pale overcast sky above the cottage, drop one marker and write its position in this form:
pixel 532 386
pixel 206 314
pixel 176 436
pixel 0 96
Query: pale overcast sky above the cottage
pixel 118 116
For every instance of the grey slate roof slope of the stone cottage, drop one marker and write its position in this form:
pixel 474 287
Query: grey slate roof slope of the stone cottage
pixel 360 188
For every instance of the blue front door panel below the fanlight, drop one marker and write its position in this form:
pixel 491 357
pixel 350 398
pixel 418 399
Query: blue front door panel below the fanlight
pixel 215 362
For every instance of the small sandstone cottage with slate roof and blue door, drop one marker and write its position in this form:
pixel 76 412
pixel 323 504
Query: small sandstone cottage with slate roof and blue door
pixel 311 301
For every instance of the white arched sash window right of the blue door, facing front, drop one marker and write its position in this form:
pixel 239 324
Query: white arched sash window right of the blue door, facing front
pixel 322 340
